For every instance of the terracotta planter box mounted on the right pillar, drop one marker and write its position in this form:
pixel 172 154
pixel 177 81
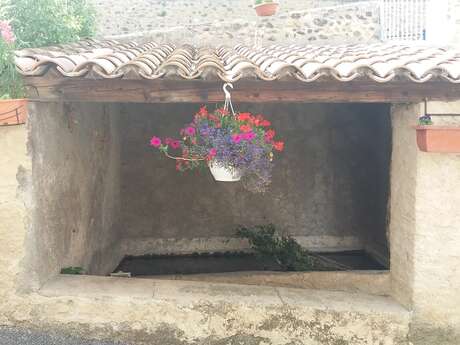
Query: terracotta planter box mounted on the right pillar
pixel 438 139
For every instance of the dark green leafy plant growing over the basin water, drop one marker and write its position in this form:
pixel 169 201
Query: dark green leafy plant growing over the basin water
pixel 283 249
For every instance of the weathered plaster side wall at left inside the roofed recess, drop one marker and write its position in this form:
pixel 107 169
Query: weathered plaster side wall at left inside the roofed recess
pixel 76 202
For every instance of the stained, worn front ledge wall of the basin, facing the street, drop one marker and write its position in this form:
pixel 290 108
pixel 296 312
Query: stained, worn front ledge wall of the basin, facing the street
pixel 177 312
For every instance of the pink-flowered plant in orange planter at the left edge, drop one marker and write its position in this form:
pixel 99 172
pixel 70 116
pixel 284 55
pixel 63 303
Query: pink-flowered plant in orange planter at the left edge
pixel 13 108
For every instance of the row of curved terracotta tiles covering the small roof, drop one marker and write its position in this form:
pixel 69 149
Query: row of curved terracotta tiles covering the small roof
pixel 381 62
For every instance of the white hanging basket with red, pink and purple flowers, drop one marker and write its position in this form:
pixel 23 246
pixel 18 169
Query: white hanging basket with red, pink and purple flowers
pixel 233 147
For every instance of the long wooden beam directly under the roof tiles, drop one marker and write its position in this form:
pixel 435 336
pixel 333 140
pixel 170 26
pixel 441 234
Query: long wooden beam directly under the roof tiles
pixel 194 91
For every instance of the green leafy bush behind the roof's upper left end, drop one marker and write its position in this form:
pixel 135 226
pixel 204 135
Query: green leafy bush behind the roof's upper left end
pixel 38 23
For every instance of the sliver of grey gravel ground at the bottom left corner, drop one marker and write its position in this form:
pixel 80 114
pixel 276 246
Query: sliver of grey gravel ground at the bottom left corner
pixel 15 336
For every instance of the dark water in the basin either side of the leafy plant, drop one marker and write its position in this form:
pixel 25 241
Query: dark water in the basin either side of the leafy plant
pixel 228 262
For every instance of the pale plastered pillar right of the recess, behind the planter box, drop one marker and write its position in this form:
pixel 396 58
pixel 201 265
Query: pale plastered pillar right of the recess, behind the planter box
pixel 425 229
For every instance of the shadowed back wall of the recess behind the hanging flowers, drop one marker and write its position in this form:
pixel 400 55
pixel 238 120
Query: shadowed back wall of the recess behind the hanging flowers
pixel 329 186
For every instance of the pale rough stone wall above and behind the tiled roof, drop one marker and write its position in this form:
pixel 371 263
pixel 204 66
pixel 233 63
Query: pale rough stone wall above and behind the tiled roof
pixel 232 22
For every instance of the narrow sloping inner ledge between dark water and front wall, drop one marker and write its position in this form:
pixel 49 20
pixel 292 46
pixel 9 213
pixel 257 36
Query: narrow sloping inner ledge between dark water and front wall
pixel 370 282
